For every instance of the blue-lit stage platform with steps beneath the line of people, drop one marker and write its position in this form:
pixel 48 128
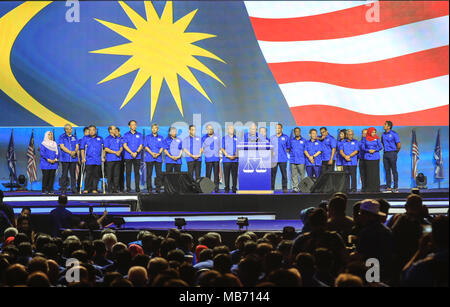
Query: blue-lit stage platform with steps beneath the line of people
pixel 206 212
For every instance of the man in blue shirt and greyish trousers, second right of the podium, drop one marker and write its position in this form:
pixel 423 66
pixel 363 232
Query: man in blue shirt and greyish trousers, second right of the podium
pixel 297 159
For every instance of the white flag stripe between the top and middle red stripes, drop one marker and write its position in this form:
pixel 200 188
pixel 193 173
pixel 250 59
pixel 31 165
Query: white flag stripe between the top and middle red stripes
pixel 365 48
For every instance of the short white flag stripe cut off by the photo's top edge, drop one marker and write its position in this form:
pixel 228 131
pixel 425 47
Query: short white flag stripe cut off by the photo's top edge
pixel 292 9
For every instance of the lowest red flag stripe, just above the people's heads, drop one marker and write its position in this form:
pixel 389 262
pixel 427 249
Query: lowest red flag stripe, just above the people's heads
pixel 320 115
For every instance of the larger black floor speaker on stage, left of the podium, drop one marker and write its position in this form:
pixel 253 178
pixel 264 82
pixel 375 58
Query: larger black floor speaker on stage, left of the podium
pixel 179 183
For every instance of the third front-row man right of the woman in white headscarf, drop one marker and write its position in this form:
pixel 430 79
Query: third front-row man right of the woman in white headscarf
pixel 113 151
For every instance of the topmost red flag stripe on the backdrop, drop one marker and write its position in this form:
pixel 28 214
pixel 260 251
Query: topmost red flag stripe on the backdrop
pixel 347 22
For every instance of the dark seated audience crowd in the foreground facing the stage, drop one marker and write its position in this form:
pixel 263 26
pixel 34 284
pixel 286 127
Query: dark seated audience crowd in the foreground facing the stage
pixel 331 251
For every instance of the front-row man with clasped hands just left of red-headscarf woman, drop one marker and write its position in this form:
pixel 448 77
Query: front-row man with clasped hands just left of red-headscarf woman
pixel 349 151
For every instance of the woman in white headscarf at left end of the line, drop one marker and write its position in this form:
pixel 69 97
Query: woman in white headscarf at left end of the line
pixel 49 162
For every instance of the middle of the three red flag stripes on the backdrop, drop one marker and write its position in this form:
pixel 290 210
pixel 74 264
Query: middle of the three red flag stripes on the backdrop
pixel 404 69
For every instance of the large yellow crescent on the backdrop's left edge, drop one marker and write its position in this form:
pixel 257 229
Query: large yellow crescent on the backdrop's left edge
pixel 11 24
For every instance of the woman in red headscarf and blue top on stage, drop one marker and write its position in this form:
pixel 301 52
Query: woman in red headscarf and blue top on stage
pixel 371 147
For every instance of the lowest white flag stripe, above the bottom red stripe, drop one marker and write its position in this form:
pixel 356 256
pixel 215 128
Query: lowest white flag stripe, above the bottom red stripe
pixel 405 98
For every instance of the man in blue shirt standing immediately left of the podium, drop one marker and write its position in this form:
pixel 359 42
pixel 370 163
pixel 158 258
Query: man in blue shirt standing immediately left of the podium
pixel 230 159
